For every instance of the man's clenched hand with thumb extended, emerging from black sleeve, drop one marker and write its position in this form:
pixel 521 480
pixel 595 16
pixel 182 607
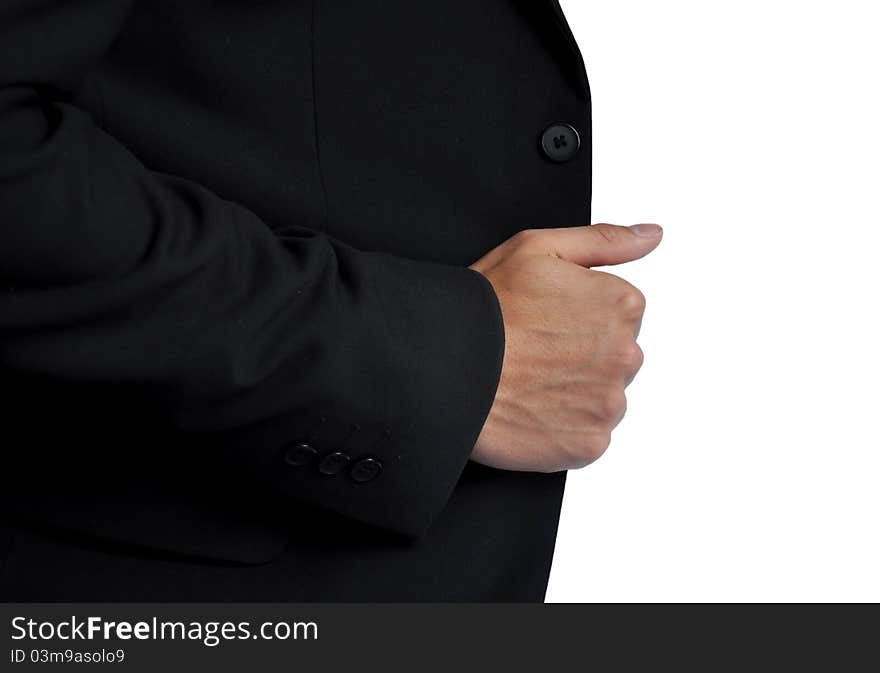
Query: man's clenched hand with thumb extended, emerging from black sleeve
pixel 570 344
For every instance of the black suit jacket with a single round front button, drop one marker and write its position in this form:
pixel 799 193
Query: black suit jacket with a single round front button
pixel 235 311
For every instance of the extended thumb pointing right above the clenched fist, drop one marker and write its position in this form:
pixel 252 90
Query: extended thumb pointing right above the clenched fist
pixel 604 244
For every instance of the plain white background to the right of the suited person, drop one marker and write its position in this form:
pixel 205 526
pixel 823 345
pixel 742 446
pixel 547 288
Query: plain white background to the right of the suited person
pixel 747 467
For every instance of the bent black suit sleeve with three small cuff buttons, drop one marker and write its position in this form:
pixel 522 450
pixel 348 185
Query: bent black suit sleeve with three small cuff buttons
pixel 114 273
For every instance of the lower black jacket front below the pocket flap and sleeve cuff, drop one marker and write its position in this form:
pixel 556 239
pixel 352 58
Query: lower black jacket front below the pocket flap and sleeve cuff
pixel 495 557
